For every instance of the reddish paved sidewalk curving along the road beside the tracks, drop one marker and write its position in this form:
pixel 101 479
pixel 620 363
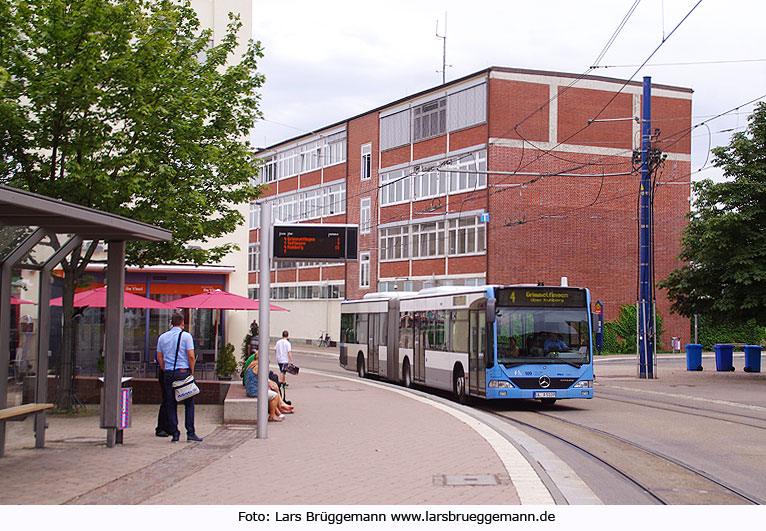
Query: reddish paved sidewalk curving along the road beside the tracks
pixel 349 442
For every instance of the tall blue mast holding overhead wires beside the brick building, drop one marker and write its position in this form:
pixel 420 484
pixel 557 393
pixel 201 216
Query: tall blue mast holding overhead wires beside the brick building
pixel 645 291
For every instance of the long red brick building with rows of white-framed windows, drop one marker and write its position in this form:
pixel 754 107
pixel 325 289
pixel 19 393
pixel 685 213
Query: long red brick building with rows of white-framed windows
pixel 504 176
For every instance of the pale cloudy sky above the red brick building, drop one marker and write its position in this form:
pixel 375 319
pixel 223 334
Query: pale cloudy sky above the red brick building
pixel 328 61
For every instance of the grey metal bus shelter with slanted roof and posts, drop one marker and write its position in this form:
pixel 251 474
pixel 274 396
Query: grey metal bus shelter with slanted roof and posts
pixel 26 219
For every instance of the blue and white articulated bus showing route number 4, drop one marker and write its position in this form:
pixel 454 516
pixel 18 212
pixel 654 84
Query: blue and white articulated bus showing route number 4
pixel 493 342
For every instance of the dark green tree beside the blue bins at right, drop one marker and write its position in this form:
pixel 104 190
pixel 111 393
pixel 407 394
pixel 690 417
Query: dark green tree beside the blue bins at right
pixel 724 244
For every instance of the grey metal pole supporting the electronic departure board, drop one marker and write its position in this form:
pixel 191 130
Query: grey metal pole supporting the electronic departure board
pixel 264 285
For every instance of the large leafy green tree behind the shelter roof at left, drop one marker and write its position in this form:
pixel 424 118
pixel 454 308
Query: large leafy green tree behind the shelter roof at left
pixel 125 106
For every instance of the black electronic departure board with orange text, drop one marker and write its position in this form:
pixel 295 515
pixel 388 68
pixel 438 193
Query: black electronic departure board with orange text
pixel 315 242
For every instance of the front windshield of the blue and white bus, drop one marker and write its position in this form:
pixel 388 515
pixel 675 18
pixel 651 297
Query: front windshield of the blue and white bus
pixel 549 335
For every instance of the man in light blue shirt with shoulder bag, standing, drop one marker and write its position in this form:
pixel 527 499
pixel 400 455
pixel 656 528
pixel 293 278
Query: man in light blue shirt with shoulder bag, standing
pixel 175 355
